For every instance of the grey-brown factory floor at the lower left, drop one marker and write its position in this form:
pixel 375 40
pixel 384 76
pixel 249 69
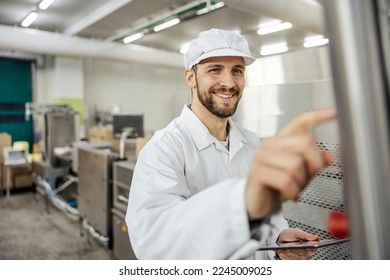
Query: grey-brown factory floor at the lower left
pixel 29 232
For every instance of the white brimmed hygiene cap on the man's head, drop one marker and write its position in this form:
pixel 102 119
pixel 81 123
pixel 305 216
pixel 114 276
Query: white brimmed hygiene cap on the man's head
pixel 217 42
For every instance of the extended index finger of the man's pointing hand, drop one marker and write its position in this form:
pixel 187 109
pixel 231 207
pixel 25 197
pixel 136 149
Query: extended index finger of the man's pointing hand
pixel 308 120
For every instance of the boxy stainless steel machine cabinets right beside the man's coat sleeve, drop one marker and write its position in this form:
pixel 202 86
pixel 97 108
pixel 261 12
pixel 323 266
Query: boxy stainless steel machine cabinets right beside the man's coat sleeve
pixel 104 183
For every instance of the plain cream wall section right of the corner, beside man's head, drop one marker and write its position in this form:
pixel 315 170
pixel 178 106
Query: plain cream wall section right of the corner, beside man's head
pixel 157 92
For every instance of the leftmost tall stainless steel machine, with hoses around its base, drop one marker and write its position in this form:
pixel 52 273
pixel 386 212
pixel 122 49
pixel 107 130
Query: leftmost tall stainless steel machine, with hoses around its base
pixel 55 127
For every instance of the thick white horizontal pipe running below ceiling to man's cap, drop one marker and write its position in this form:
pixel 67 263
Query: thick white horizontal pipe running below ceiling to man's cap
pixel 44 42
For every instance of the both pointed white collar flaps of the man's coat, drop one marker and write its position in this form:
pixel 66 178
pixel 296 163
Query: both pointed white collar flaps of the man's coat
pixel 202 140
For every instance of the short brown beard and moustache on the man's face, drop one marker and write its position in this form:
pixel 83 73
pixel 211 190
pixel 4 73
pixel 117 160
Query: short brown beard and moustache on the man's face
pixel 220 111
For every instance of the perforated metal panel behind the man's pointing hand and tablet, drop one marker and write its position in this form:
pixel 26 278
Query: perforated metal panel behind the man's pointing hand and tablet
pixel 325 193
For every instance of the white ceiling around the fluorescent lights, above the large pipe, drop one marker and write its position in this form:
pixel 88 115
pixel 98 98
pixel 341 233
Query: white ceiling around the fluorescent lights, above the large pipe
pixel 112 20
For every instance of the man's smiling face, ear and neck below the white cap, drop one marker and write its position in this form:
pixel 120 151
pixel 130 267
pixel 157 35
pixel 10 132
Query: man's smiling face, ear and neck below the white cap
pixel 218 84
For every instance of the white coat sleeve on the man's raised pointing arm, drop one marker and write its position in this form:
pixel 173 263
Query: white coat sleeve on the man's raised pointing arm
pixel 165 221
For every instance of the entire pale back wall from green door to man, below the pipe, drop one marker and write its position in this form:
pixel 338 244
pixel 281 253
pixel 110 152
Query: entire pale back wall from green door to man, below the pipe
pixel 155 91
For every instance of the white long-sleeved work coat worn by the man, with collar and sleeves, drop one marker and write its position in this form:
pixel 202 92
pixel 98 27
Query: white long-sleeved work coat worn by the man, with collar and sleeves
pixel 186 199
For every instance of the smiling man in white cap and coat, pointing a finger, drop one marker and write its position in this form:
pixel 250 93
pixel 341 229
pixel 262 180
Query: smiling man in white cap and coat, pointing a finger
pixel 203 187
